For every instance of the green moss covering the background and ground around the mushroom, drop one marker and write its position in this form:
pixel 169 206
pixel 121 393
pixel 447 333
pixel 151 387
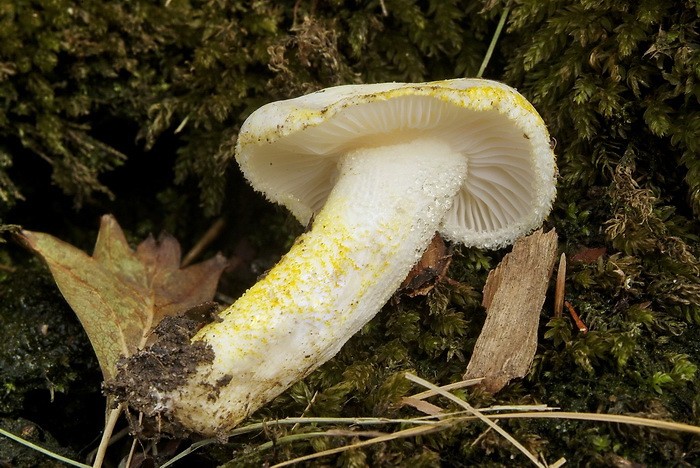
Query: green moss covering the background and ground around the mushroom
pixel 616 82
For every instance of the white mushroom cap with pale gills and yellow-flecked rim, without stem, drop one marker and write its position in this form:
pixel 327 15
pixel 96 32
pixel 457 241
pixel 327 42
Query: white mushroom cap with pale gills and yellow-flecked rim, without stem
pixel 289 149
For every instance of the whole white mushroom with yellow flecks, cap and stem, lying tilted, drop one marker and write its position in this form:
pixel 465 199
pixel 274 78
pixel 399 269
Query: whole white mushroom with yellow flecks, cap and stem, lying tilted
pixel 379 168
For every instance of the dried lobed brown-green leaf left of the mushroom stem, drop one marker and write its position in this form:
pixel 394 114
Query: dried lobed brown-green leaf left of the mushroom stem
pixel 120 294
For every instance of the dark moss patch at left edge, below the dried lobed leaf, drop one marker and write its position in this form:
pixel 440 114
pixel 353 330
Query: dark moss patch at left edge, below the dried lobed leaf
pixel 47 367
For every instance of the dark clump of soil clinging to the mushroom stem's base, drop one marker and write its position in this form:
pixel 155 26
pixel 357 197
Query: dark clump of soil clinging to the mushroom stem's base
pixel 162 367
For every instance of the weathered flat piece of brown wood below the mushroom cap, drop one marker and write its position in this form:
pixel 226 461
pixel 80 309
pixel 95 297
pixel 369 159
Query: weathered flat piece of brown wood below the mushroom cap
pixel 513 297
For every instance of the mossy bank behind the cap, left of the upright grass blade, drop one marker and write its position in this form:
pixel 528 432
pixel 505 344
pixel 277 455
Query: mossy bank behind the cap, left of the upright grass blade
pixel 194 69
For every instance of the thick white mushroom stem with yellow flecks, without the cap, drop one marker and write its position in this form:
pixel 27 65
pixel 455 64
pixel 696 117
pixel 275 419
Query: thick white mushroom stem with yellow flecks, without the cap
pixel 384 209
